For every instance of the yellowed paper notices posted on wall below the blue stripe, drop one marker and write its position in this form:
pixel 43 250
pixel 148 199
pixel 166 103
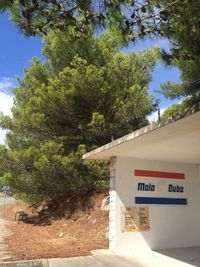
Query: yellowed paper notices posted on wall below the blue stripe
pixel 135 219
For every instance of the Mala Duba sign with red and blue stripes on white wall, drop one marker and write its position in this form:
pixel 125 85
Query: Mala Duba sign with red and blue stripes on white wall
pixel 158 187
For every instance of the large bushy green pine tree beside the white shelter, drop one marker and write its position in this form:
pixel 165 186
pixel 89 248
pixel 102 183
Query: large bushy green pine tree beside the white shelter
pixel 68 106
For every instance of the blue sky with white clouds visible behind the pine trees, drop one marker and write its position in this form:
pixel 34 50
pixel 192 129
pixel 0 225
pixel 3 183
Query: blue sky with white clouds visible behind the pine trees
pixel 16 51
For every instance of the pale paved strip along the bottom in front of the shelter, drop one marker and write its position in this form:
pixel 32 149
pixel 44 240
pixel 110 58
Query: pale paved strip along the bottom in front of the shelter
pixel 103 261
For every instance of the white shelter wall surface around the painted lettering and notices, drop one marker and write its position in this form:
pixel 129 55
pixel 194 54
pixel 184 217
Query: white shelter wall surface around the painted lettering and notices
pixel 170 225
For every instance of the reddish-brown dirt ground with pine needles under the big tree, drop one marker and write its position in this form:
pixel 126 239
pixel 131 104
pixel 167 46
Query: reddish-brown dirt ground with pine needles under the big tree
pixel 62 238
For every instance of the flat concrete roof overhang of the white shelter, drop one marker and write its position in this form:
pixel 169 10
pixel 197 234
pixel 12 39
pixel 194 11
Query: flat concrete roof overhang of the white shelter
pixel 172 141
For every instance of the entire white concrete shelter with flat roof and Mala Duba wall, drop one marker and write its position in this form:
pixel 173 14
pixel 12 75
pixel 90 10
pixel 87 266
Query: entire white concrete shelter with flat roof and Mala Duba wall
pixel 154 186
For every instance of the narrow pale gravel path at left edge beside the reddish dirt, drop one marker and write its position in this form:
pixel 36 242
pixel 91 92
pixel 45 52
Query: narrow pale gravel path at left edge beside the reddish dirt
pixel 3 233
